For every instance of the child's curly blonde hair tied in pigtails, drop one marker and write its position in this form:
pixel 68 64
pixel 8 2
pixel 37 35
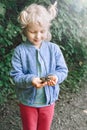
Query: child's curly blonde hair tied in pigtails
pixel 38 14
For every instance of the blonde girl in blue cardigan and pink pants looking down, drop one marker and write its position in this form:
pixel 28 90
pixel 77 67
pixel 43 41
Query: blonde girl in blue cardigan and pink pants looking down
pixel 34 59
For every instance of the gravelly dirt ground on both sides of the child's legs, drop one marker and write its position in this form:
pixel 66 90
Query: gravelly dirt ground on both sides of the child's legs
pixel 70 112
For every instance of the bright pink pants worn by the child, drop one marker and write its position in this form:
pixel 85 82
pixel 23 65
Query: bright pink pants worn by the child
pixel 36 118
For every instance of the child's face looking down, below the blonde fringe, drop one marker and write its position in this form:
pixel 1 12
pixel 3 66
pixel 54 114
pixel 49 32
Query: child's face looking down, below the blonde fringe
pixel 36 34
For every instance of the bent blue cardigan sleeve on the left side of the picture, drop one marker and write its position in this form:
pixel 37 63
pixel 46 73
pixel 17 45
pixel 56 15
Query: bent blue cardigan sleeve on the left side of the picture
pixel 19 77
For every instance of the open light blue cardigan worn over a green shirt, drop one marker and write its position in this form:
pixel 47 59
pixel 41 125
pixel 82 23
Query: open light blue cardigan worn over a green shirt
pixel 24 69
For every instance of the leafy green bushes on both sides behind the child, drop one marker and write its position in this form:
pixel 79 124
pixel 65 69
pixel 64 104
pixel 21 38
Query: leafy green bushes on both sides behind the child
pixel 69 31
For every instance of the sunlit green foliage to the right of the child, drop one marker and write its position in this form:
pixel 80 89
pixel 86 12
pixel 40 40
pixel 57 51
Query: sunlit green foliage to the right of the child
pixel 69 31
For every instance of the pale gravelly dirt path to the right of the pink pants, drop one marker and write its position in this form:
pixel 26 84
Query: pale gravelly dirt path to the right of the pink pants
pixel 71 112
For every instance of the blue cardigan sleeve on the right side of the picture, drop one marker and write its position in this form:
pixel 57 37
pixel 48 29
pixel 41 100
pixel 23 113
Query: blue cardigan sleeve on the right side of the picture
pixel 61 69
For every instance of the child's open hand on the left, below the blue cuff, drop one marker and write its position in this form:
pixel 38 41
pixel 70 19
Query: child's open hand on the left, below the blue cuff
pixel 37 82
